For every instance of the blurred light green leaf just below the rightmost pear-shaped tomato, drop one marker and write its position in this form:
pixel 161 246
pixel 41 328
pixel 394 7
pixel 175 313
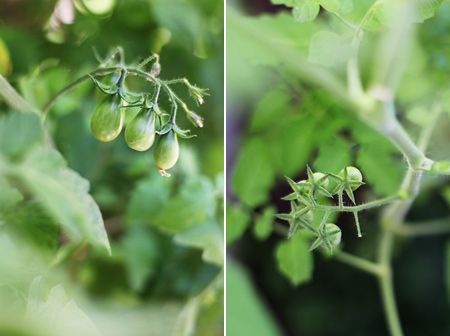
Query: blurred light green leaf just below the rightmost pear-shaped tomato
pixel 195 202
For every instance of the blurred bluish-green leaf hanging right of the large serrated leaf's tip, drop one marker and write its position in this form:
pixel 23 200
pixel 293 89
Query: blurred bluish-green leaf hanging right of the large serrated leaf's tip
pixel 141 252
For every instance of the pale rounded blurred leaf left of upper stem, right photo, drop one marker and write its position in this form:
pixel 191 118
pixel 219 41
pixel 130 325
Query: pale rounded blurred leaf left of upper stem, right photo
pixel 328 49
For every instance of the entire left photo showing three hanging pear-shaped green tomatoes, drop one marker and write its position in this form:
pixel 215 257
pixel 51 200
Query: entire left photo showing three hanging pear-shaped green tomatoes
pixel 111 168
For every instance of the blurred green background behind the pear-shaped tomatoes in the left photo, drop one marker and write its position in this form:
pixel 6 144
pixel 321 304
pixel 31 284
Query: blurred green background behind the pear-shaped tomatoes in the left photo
pixel 165 274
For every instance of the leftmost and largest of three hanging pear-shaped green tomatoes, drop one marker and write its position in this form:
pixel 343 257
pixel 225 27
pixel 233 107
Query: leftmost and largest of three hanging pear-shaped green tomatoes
pixel 107 119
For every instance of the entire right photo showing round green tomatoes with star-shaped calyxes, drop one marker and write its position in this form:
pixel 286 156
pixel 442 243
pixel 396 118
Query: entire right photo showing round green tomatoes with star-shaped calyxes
pixel 338 164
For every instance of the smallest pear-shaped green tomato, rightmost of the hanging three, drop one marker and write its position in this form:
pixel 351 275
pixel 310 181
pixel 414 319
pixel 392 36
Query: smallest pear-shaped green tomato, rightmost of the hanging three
pixel 166 150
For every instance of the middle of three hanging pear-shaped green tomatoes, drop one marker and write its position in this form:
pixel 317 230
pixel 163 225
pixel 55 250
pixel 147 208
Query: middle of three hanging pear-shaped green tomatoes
pixel 140 132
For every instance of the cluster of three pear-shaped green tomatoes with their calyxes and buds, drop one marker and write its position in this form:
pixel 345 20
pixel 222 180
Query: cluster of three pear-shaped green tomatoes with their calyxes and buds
pixel 149 126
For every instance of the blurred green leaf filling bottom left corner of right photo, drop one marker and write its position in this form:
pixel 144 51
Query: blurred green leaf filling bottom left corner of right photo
pixel 246 312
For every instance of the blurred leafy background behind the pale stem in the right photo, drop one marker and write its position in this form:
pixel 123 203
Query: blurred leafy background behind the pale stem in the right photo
pixel 277 122
